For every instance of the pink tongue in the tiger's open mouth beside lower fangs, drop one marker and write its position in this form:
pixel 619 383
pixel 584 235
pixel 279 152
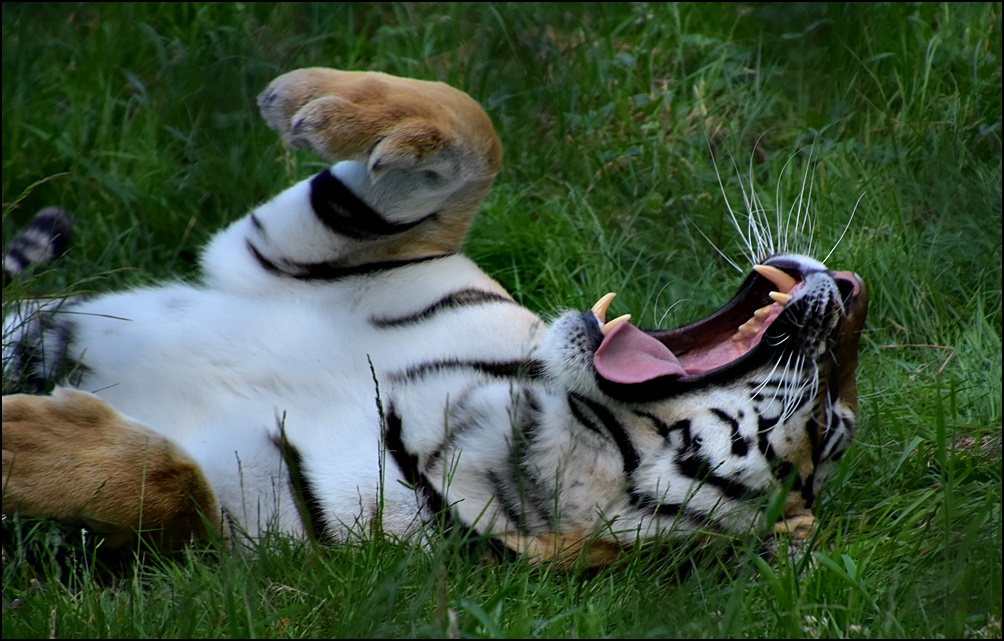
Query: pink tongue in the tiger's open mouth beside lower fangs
pixel 629 355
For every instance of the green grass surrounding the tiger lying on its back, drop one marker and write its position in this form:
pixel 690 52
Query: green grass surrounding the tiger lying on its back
pixel 141 119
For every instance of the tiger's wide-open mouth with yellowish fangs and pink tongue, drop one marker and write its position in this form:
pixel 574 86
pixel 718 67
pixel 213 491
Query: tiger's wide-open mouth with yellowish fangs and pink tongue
pixel 739 335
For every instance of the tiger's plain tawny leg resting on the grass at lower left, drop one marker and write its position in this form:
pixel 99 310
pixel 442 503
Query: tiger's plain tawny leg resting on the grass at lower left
pixel 73 458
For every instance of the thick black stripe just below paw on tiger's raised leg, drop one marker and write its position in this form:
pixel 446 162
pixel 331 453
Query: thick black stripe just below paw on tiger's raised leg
pixel 345 213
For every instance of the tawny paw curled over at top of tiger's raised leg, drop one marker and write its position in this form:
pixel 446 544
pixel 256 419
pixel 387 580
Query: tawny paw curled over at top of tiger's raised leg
pixel 386 122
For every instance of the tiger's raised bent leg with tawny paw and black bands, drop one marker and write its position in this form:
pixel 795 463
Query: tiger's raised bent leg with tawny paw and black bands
pixel 413 161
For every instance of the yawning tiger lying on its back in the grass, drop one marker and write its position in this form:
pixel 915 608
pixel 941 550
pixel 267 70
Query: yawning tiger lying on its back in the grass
pixel 341 368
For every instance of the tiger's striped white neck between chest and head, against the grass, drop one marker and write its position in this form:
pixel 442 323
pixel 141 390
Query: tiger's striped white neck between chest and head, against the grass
pixel 546 471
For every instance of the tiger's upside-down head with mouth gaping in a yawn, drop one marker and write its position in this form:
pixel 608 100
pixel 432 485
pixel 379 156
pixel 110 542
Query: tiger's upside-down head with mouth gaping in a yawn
pixel 756 401
